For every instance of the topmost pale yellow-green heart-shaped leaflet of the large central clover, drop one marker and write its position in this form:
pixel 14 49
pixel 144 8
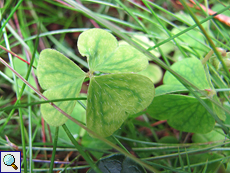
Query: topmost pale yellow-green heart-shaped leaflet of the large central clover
pixel 104 55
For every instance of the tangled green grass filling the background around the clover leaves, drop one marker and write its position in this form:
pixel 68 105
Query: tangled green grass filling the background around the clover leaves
pixel 177 33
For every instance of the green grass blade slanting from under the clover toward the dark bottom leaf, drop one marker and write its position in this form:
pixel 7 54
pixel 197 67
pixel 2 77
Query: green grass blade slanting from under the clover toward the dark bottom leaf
pixel 81 151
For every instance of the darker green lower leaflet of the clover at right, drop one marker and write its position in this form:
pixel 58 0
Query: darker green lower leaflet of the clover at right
pixel 184 113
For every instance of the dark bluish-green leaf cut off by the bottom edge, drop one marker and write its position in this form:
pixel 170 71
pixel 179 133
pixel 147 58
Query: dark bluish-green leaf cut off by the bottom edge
pixel 118 163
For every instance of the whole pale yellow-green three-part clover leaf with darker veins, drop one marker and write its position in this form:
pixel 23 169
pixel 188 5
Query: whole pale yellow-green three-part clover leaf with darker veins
pixel 111 97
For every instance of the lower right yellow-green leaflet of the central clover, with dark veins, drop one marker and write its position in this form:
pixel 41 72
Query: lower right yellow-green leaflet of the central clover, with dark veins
pixel 112 98
